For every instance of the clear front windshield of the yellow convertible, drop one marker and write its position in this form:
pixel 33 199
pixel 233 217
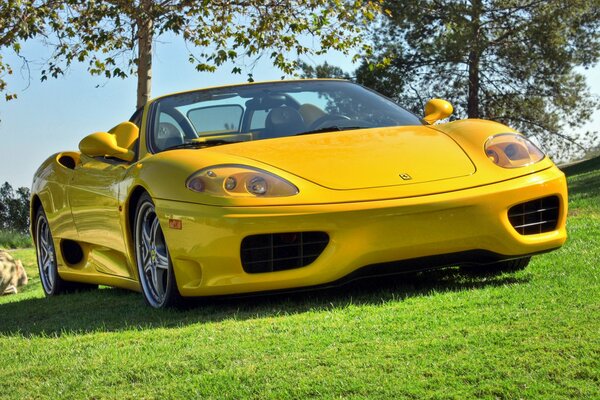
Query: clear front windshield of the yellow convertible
pixel 269 110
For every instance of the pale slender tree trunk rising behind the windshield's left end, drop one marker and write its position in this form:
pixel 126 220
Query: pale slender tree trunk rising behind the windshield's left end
pixel 144 64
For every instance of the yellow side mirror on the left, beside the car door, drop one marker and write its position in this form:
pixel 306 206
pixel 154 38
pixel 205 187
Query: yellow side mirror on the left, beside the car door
pixel 114 143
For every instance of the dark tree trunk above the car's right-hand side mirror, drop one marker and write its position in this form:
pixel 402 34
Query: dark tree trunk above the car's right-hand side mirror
pixel 474 60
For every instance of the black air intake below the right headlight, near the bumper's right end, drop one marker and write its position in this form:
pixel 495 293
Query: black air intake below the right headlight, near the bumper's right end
pixel 536 216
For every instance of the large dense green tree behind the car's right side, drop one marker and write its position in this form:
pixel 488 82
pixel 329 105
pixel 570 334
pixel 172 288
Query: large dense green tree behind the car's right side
pixel 507 60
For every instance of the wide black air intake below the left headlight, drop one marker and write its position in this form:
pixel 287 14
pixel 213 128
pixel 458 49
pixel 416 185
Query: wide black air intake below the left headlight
pixel 281 251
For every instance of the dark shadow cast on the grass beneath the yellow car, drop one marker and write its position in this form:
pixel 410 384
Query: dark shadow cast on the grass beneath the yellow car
pixel 110 310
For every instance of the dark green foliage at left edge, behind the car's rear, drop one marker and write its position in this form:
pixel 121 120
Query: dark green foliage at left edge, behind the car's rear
pixel 14 208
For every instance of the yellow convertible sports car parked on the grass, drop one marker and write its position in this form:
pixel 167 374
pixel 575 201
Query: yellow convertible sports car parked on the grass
pixel 287 185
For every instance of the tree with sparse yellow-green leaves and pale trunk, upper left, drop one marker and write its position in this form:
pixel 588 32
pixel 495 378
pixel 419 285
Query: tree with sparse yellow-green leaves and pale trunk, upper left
pixel 115 37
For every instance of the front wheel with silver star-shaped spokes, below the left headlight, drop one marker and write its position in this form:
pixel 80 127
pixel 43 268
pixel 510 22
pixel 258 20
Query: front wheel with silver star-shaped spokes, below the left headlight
pixel 154 266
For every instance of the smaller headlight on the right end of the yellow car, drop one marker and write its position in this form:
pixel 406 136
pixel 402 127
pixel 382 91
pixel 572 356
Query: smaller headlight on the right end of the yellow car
pixel 510 150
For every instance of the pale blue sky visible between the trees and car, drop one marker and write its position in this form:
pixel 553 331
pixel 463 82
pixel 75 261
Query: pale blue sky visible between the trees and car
pixel 55 115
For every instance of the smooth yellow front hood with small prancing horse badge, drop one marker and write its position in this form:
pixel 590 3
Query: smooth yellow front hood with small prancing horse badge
pixel 360 159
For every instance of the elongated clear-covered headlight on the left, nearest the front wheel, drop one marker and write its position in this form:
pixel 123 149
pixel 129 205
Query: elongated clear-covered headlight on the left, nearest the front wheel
pixel 239 181
